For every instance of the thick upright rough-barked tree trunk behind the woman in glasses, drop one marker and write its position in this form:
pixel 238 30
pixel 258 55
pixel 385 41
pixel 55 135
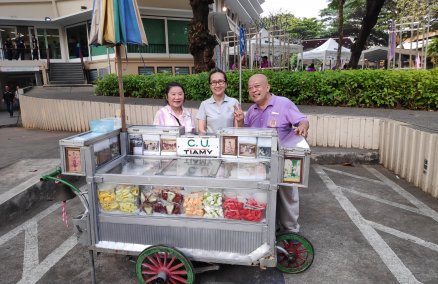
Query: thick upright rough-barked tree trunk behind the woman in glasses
pixel 201 42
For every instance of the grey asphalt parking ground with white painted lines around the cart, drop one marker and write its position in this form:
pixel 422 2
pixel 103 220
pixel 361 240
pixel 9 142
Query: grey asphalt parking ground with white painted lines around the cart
pixel 366 226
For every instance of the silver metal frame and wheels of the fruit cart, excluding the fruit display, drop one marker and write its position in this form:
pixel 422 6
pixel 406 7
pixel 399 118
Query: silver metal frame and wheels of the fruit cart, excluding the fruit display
pixel 166 244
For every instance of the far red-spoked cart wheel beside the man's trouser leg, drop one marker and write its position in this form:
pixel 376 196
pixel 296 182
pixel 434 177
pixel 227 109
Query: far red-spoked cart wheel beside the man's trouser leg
pixel 294 253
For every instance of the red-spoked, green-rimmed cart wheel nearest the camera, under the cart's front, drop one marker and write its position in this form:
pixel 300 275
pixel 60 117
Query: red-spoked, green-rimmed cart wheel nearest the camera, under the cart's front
pixel 161 264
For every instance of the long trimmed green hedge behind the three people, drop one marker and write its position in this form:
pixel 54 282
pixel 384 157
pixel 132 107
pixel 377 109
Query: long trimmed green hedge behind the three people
pixel 405 89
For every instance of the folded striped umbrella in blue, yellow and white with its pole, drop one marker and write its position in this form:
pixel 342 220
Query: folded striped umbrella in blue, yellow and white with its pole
pixel 117 22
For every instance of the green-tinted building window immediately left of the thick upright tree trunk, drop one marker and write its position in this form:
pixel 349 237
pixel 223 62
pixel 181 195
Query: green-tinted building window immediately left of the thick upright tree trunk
pixel 178 36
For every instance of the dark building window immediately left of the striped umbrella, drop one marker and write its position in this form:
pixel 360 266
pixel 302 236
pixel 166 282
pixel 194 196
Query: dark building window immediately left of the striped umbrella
pixel 77 41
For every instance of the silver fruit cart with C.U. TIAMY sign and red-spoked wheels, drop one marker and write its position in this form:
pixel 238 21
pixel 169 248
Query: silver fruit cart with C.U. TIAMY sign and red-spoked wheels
pixel 170 198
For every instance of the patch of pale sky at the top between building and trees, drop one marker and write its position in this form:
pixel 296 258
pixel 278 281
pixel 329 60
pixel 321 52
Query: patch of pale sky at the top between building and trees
pixel 299 8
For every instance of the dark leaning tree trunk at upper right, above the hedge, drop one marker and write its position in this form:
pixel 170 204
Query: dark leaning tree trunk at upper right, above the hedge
pixel 369 21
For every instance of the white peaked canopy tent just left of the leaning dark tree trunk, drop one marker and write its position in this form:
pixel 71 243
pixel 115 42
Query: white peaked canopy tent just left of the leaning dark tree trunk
pixel 327 51
